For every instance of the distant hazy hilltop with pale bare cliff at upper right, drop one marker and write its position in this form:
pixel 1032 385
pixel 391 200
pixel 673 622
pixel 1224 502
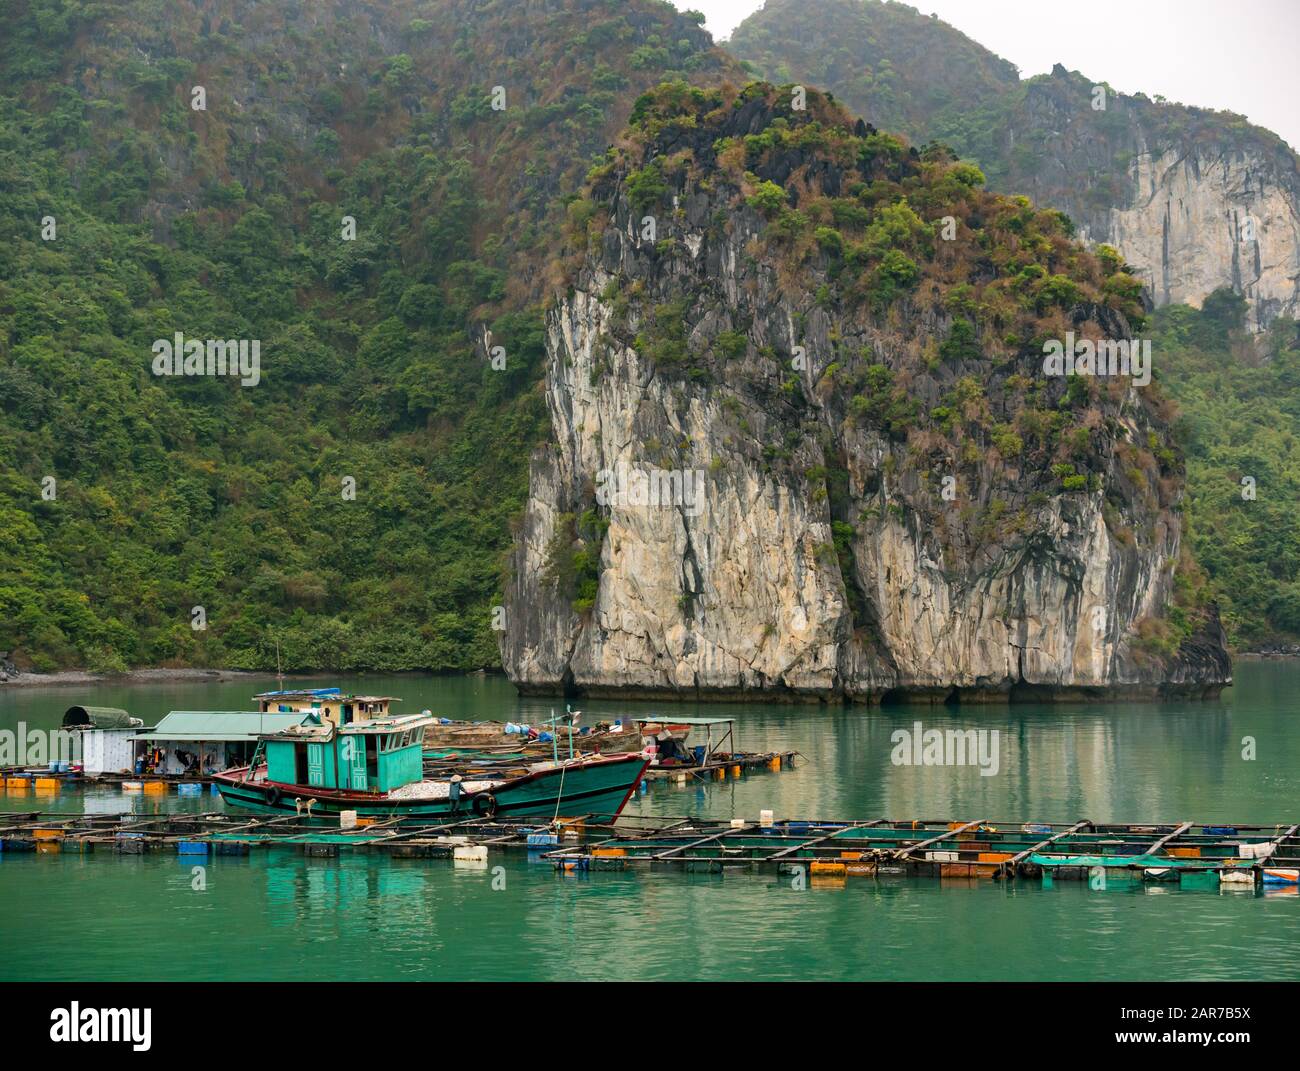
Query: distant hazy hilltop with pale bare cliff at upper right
pixel 1194 201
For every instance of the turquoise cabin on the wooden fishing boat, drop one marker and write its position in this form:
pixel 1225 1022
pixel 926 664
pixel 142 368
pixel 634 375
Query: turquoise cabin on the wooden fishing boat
pixel 376 756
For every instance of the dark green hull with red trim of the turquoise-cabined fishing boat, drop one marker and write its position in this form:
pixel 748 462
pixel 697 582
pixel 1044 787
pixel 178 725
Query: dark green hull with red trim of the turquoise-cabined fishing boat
pixel 599 787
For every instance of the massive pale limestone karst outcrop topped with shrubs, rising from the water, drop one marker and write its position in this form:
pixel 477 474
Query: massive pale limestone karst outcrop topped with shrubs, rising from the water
pixel 768 478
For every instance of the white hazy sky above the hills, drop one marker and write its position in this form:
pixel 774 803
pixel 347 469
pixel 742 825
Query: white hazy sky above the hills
pixel 1237 55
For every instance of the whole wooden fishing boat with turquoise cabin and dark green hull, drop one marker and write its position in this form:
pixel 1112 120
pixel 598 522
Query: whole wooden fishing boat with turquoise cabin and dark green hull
pixel 376 769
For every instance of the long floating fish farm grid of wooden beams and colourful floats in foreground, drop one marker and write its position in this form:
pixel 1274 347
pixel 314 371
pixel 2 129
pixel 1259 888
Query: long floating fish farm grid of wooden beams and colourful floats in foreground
pixel 1189 855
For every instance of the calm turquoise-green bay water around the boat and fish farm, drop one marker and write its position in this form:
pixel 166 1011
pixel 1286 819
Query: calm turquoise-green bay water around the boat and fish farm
pixel 278 916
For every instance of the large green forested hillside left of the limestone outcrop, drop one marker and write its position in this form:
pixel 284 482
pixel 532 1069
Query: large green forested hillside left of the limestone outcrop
pixel 170 495
